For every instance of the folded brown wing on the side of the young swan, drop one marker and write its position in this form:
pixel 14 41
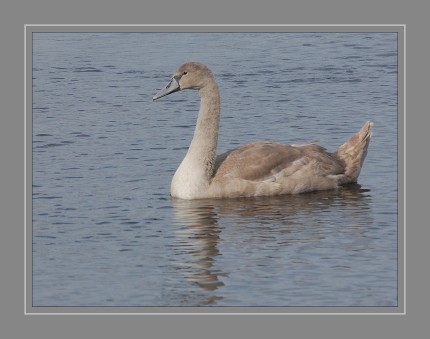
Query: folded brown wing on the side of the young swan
pixel 263 161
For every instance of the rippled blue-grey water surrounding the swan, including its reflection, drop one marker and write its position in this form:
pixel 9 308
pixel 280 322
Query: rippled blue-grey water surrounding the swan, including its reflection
pixel 107 233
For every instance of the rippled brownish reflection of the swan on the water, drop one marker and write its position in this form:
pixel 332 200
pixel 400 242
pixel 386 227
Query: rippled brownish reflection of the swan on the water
pixel 204 221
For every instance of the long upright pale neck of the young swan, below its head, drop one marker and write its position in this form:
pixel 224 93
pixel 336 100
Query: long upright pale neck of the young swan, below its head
pixel 193 176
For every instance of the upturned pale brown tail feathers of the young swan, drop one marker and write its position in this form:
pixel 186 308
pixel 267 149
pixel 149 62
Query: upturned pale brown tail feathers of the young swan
pixel 353 152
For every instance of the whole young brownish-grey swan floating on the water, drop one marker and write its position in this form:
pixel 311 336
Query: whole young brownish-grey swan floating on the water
pixel 260 168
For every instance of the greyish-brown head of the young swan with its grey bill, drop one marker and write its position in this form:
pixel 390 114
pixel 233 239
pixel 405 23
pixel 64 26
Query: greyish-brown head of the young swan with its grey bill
pixel 191 75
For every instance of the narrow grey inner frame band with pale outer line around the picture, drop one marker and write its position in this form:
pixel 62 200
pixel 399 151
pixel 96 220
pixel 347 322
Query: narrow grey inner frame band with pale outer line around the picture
pixel 400 309
